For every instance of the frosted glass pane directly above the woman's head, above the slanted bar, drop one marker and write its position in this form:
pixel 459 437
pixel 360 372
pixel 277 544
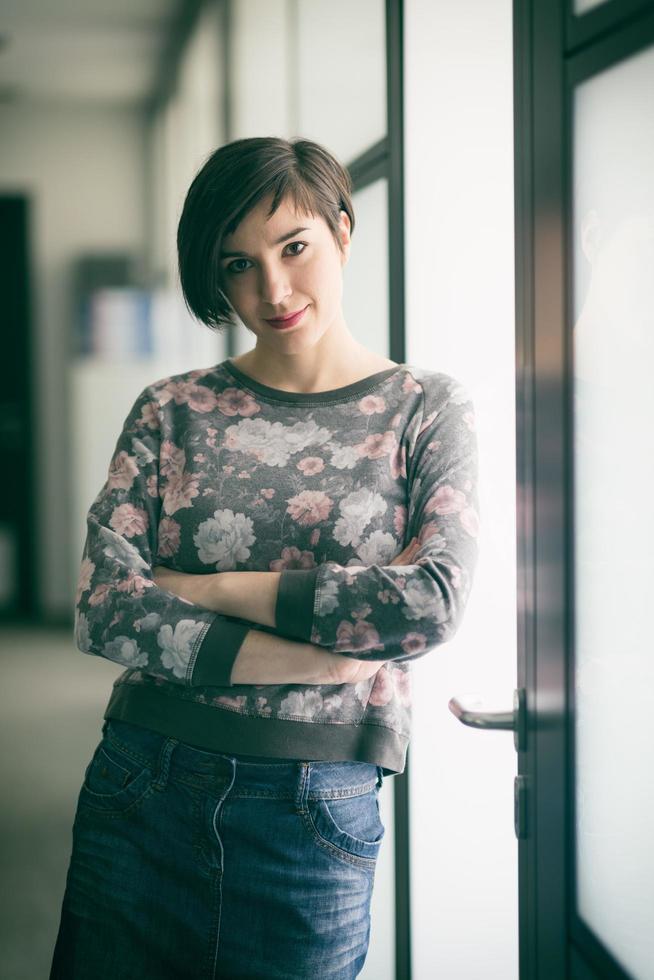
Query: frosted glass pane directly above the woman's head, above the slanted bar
pixel 341 74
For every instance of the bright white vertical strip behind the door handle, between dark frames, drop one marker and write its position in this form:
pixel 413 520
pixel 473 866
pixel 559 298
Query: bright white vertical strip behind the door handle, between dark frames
pixel 460 319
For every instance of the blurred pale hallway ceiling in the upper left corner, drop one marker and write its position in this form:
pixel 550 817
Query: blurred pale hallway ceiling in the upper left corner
pixel 83 51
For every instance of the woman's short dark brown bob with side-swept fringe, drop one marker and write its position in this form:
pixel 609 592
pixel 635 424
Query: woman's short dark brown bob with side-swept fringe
pixel 229 184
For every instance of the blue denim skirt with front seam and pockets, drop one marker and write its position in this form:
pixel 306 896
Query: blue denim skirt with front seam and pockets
pixel 191 863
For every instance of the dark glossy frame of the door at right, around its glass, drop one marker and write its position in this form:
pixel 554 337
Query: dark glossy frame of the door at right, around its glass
pixel 554 50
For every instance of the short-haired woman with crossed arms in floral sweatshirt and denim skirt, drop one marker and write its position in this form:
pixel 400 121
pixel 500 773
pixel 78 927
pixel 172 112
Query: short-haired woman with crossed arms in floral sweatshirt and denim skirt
pixel 278 537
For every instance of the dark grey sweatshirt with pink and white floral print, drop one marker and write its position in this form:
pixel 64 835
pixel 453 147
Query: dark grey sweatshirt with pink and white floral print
pixel 214 471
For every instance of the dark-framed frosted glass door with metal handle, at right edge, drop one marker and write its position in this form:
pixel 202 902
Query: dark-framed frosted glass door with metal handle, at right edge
pixel 585 416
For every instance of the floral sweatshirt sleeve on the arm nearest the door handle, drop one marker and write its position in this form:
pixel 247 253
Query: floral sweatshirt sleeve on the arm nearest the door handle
pixel 400 612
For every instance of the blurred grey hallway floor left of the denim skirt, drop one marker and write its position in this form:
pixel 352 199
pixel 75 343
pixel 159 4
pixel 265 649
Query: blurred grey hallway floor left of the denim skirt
pixel 51 705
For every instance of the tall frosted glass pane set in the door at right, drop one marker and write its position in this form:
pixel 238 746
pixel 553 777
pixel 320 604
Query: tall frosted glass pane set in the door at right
pixel 613 217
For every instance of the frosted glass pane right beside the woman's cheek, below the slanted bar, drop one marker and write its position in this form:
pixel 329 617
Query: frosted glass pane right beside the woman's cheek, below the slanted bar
pixel 365 279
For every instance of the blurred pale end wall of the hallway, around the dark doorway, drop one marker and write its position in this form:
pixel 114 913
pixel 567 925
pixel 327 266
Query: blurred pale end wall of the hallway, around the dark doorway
pixel 83 170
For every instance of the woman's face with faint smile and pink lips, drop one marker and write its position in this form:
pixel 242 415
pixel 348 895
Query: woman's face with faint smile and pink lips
pixel 270 277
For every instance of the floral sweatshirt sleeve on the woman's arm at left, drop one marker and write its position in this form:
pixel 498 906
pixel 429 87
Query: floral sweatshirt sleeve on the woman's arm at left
pixel 120 613
